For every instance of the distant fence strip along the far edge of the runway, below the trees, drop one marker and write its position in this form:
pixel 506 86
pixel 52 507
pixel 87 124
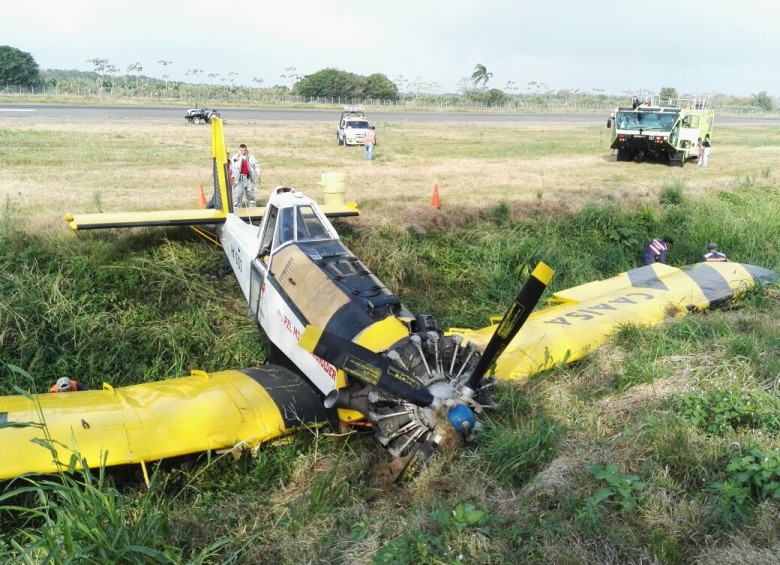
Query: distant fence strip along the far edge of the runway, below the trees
pixel 202 95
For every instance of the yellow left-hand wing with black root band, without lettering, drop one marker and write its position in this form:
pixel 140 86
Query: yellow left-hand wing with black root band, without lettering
pixel 153 421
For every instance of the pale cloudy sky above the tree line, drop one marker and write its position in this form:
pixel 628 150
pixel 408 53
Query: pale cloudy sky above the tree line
pixel 698 47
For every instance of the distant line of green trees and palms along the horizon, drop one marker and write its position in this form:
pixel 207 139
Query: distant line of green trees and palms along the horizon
pixel 19 70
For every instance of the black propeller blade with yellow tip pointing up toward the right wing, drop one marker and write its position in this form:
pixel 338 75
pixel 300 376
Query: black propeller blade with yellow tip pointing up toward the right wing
pixel 513 320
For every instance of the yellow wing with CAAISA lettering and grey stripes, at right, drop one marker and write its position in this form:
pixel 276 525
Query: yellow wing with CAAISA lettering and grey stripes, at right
pixel 582 318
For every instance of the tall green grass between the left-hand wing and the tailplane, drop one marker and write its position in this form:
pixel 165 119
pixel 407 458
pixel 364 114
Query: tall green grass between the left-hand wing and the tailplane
pixel 123 311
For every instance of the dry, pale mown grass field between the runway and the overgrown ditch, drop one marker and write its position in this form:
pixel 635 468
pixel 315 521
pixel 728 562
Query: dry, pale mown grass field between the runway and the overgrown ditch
pixel 49 169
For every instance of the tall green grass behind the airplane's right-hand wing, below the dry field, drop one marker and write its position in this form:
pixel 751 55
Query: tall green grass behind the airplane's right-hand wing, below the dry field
pixel 468 272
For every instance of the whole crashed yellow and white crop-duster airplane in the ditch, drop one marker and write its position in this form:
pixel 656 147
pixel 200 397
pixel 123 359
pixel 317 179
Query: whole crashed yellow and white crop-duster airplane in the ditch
pixel 342 348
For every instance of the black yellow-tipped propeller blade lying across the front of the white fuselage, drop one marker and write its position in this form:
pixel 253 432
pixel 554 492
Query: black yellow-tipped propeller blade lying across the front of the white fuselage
pixel 365 365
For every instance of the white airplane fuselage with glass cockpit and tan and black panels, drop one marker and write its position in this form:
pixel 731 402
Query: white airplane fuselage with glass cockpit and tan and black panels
pixel 294 271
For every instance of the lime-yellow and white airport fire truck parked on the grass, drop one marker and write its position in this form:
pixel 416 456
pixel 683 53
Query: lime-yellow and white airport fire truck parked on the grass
pixel 667 132
